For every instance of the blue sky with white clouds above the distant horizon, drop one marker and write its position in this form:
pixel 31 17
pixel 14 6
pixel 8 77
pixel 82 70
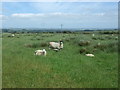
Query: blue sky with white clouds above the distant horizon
pixel 53 14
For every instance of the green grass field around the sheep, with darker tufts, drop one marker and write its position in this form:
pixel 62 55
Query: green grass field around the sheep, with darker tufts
pixel 68 68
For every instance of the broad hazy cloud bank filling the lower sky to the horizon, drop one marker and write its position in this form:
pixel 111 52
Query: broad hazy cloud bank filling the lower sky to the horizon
pixel 53 20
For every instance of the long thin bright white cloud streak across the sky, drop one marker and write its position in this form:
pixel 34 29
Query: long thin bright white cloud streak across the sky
pixel 33 15
